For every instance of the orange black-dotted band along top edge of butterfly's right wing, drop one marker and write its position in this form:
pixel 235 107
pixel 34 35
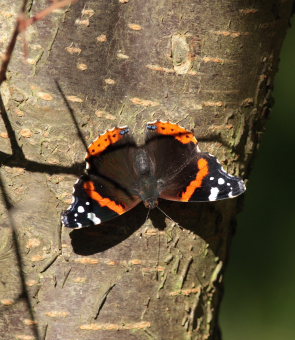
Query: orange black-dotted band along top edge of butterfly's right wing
pixel 180 133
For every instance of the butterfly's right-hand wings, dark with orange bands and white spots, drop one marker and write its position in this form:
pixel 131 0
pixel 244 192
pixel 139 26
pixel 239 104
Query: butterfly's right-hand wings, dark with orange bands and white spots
pixel 183 172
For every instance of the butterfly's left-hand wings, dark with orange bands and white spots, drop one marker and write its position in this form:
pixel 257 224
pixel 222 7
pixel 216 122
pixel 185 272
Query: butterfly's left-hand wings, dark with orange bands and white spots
pixel 106 190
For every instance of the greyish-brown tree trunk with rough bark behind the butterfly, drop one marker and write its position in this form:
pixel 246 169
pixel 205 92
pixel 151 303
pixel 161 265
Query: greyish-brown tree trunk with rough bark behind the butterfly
pixel 207 64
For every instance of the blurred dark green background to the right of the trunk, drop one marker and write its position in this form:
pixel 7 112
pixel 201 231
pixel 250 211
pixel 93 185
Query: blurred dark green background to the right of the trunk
pixel 259 301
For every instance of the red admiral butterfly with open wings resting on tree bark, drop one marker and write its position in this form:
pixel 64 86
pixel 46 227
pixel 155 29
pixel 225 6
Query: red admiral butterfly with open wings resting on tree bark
pixel 119 174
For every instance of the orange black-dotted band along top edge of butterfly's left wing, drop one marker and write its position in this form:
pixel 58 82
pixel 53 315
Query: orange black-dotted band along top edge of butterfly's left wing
pixel 104 141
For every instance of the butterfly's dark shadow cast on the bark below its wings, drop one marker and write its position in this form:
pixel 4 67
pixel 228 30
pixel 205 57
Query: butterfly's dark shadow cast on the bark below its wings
pixel 191 216
